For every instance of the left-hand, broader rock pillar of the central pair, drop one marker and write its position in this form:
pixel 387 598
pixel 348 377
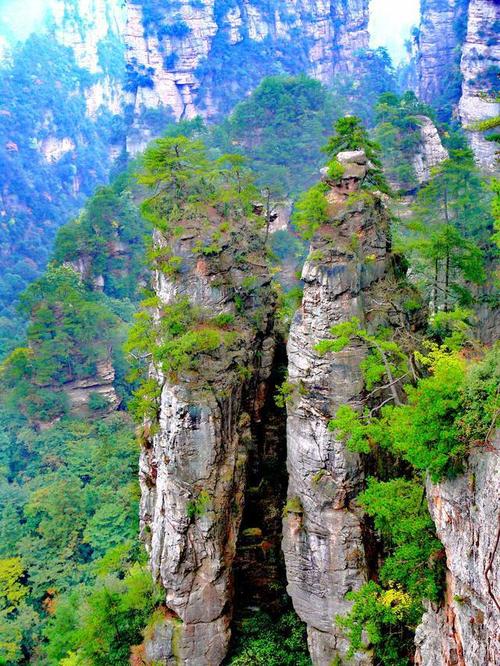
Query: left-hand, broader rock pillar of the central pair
pixel 193 470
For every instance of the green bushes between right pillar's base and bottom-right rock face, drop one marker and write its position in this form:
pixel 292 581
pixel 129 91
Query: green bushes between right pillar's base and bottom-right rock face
pixel 412 572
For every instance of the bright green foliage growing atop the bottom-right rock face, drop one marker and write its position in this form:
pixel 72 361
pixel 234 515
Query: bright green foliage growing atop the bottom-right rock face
pixel 447 412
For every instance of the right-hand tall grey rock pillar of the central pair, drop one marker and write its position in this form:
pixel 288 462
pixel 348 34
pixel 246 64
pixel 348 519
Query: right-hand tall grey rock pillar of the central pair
pixel 323 528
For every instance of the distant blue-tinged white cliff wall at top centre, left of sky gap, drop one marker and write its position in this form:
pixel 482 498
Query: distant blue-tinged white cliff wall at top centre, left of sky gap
pixel 198 57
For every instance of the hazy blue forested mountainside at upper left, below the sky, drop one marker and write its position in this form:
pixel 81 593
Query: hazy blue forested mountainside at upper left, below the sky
pixel 43 97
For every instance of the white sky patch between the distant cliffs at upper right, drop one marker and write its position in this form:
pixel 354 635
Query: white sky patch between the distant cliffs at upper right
pixel 390 24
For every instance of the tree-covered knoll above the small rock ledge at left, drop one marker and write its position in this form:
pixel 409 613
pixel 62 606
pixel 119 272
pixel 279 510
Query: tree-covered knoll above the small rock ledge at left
pixel 70 331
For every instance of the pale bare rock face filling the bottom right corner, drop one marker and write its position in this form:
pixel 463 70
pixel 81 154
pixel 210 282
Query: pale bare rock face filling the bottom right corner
pixel 465 631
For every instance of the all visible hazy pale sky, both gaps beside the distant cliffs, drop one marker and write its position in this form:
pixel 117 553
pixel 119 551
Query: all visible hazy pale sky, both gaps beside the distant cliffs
pixel 390 23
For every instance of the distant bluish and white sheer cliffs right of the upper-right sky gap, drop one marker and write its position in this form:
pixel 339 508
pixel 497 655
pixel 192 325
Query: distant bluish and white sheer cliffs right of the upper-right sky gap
pixel 457 63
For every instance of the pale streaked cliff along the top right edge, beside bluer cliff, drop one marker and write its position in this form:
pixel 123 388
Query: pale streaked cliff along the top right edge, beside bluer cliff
pixel 480 70
